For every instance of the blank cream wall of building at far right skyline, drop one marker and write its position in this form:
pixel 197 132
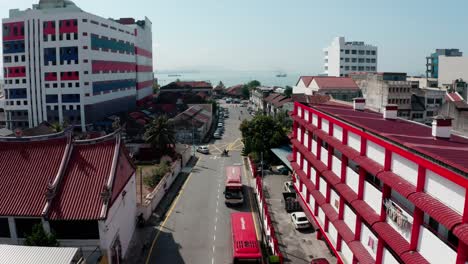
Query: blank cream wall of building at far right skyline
pixel 452 68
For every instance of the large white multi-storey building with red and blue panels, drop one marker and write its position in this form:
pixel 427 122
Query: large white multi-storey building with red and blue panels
pixel 64 64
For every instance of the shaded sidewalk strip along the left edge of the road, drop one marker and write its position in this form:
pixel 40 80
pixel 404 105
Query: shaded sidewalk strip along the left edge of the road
pixel 143 237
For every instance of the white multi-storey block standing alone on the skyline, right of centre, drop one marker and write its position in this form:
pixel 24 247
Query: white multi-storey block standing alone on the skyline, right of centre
pixel 342 57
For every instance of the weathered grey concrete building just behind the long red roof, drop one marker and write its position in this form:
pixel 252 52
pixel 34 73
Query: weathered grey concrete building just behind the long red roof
pixel 383 88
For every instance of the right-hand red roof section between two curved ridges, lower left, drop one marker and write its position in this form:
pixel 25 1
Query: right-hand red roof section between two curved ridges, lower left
pixel 88 170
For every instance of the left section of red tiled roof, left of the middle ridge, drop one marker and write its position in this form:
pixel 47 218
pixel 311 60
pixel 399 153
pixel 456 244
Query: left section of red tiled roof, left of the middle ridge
pixel 26 168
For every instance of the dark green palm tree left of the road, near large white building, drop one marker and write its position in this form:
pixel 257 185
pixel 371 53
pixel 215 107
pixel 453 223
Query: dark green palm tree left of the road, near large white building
pixel 160 134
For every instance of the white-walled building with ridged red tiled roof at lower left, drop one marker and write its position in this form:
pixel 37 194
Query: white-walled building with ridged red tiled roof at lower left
pixel 82 190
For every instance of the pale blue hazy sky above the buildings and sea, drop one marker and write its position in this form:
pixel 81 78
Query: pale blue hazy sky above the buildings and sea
pixel 286 35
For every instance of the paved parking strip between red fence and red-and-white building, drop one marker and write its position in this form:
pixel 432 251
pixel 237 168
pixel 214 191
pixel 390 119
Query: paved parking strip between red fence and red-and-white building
pixel 297 246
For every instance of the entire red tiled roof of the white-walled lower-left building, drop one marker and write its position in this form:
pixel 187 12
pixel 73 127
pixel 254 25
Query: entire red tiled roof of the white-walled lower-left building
pixel 61 178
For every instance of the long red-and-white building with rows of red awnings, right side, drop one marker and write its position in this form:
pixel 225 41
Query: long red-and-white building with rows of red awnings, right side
pixel 381 189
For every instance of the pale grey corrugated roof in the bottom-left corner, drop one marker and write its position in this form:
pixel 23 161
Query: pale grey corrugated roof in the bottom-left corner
pixel 27 255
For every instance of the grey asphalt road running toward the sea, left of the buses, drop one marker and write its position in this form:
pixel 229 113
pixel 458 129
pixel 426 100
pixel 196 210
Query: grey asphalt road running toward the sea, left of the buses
pixel 197 227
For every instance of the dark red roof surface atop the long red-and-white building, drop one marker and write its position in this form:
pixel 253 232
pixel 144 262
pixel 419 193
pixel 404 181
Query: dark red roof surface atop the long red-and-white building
pixel 415 136
